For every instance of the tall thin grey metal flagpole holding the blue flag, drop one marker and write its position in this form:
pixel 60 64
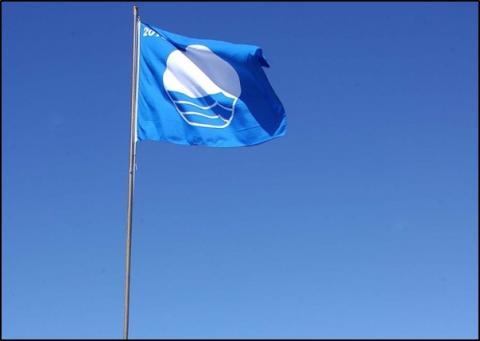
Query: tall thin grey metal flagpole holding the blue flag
pixel 131 172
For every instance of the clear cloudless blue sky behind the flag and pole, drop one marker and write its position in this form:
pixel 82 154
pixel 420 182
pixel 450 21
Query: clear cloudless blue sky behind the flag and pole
pixel 361 222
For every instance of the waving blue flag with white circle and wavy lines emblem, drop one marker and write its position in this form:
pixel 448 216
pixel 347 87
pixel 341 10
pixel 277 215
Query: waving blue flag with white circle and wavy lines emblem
pixel 204 92
